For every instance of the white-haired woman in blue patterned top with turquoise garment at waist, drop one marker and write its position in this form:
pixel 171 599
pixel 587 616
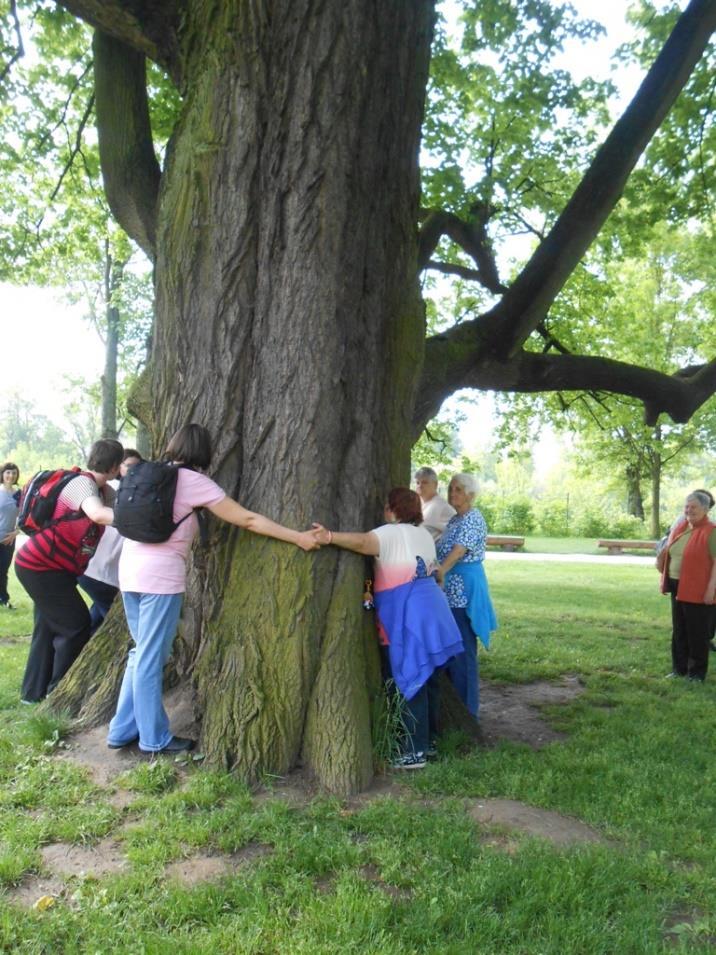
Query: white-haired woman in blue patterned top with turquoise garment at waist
pixel 461 551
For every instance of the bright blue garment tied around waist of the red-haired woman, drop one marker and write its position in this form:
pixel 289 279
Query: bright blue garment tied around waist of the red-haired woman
pixel 421 630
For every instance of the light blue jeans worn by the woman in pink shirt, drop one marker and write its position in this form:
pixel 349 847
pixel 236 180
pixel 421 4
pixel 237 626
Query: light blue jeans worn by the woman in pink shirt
pixel 152 620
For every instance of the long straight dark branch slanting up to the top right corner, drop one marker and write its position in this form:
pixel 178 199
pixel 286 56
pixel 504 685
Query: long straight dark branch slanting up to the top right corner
pixel 515 317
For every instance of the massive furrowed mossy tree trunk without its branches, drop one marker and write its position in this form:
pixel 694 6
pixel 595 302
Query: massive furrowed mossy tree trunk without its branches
pixel 289 322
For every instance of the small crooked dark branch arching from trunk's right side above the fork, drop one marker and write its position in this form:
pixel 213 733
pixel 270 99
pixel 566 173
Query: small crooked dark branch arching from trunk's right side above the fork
pixel 470 236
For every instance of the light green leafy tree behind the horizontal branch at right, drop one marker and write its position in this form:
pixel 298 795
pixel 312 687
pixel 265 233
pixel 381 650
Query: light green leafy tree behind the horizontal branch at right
pixel 656 307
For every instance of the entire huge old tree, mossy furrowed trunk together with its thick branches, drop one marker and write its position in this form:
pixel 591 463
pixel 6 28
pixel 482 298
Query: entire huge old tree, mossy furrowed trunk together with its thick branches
pixel 288 319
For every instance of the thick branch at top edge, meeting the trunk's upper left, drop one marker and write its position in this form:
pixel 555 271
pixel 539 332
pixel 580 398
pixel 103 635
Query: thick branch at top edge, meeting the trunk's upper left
pixel 146 26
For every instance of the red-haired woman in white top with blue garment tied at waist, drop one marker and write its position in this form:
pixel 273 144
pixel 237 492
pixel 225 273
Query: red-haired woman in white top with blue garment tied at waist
pixel 413 618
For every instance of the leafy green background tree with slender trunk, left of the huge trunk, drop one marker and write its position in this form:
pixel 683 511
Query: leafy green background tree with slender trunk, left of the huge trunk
pixel 57 229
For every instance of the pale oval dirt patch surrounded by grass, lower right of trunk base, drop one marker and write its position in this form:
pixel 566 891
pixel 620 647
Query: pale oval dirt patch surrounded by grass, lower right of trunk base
pixel 556 828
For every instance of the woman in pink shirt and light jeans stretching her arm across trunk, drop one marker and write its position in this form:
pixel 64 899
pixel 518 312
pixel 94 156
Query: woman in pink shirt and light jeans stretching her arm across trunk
pixel 152 582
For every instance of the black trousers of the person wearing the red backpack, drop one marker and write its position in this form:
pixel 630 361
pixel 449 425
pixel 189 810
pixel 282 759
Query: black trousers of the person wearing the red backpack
pixel 62 628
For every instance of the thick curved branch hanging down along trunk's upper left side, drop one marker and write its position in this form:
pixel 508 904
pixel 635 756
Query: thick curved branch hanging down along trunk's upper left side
pixel 129 167
